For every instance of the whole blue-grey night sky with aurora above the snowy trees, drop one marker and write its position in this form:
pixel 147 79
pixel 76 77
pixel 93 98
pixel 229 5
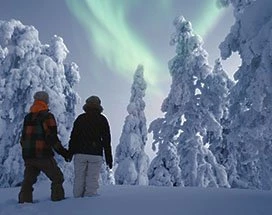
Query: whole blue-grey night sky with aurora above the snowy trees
pixel 109 38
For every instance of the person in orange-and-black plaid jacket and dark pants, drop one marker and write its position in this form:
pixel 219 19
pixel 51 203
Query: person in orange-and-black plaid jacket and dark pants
pixel 38 140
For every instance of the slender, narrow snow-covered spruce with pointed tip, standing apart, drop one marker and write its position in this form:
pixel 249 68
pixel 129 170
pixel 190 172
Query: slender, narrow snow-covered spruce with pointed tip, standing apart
pixel 130 157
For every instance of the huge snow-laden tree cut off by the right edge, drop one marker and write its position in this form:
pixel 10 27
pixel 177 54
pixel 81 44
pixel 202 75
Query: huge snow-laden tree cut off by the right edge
pixel 250 140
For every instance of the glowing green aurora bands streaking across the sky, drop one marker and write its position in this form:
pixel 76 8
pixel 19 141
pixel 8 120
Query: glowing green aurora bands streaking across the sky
pixel 117 44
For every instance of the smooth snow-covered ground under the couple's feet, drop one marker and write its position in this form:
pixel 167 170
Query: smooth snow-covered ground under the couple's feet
pixel 141 200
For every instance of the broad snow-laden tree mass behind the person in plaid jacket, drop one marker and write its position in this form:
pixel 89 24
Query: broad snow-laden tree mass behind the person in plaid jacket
pixel 27 66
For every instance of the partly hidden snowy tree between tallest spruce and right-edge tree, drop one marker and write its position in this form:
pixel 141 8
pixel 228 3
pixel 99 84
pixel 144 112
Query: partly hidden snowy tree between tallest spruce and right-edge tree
pixel 216 91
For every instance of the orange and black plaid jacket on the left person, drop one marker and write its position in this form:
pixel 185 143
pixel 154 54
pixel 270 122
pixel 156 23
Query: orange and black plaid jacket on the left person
pixel 39 136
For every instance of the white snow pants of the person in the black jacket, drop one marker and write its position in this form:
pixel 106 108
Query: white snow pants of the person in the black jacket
pixel 87 170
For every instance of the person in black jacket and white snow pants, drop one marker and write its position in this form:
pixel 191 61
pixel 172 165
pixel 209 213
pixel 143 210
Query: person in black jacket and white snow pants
pixel 90 137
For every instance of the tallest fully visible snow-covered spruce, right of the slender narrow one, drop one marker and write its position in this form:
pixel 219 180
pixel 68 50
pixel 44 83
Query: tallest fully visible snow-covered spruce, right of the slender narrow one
pixel 186 120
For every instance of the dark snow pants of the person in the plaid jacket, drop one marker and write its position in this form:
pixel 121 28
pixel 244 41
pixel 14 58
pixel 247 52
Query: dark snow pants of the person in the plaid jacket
pixel 49 167
